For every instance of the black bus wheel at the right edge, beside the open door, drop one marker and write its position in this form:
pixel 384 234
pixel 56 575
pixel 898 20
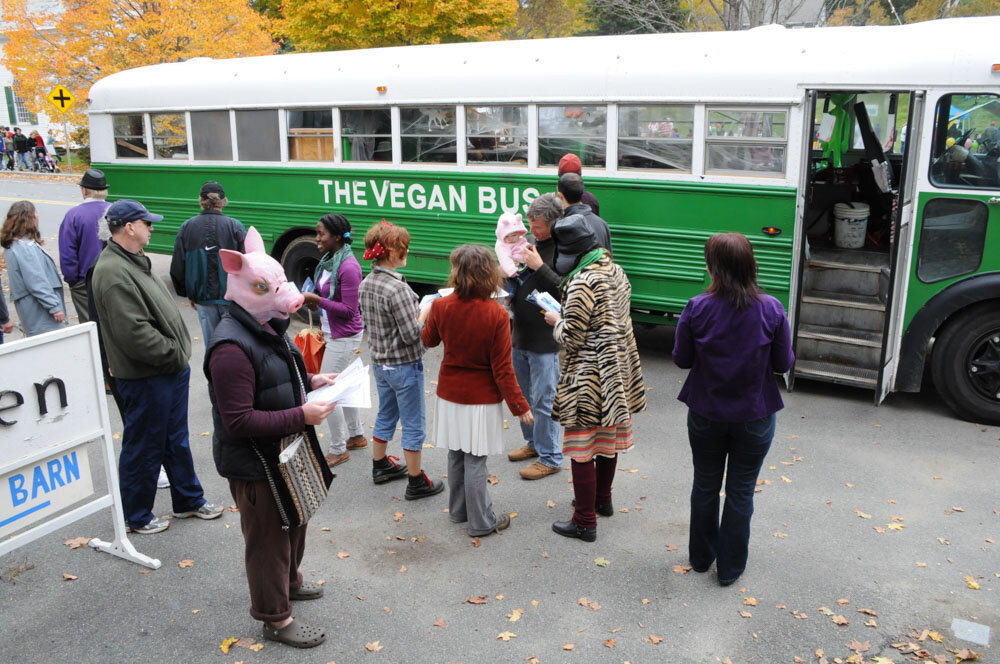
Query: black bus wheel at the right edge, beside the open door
pixel 966 364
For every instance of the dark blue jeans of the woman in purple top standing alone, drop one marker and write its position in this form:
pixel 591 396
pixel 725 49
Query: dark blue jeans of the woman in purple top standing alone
pixel 743 445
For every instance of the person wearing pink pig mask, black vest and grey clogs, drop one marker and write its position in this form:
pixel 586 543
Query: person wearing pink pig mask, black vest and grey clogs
pixel 257 382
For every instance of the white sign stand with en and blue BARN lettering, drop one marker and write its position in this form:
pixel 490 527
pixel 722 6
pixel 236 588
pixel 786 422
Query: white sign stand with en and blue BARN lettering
pixel 52 404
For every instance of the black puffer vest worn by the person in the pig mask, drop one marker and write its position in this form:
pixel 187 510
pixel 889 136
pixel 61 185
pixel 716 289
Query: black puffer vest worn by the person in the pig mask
pixel 274 359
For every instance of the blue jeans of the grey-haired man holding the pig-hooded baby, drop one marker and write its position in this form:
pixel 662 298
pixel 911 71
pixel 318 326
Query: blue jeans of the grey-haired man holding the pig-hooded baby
pixel 537 374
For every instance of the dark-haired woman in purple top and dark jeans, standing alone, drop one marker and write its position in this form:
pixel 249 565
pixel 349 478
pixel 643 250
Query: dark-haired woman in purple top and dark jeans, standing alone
pixel 734 339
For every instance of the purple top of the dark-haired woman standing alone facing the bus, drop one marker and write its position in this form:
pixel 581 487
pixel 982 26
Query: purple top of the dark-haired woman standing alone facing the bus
pixel 733 355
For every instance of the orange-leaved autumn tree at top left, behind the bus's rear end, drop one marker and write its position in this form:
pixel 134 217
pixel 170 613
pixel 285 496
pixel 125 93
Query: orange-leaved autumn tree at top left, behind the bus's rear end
pixel 91 39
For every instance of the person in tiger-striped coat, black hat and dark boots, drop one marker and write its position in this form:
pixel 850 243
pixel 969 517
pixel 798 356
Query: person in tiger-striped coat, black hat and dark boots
pixel 596 407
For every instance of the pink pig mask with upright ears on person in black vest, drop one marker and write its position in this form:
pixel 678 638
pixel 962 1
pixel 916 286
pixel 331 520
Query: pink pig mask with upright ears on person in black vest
pixel 257 282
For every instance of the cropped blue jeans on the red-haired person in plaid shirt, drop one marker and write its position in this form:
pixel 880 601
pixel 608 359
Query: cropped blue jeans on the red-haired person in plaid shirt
pixel 401 398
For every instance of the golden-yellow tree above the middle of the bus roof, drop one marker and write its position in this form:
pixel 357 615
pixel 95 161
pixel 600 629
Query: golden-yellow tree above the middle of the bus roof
pixel 333 25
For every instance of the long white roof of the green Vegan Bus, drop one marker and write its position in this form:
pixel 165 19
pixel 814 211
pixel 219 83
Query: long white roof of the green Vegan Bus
pixel 769 62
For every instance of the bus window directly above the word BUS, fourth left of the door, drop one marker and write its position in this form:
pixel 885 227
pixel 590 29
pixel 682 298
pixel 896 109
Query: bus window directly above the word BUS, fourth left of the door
pixel 497 134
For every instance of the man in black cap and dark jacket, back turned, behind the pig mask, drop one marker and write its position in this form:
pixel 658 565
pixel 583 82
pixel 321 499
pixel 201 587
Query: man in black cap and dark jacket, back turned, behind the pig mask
pixel 195 269
